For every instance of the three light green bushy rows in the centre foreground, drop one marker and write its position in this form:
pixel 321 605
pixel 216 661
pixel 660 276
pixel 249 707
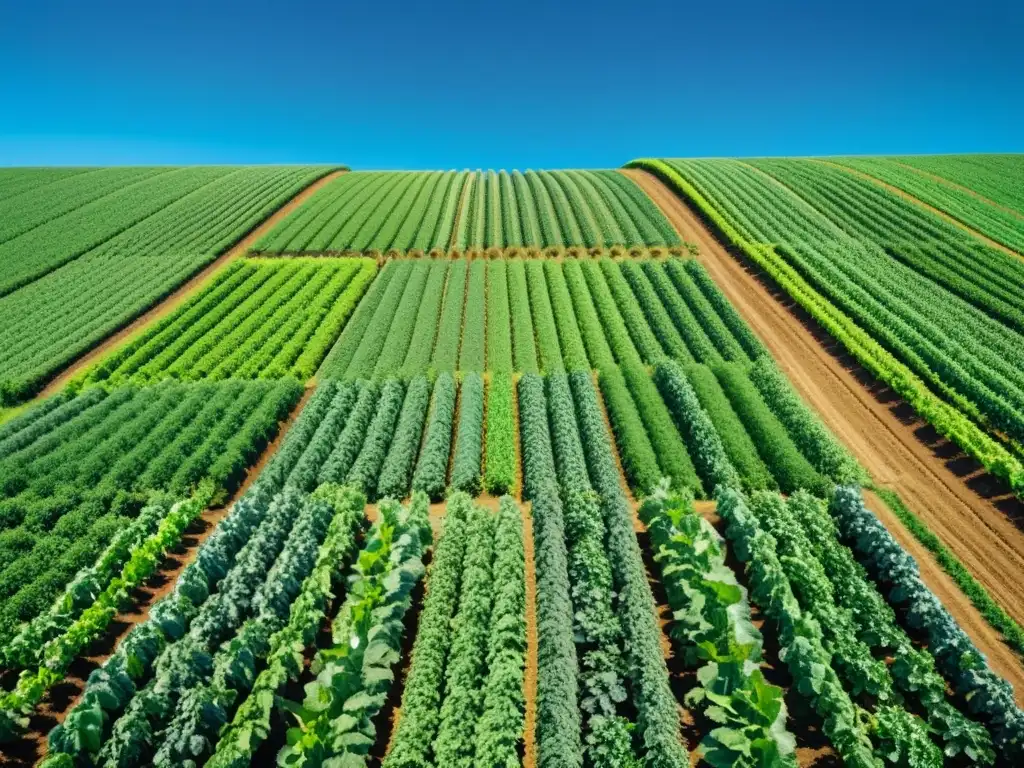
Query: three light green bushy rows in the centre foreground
pixel 463 704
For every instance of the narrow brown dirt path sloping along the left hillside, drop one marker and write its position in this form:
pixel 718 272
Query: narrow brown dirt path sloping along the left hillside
pixel 184 292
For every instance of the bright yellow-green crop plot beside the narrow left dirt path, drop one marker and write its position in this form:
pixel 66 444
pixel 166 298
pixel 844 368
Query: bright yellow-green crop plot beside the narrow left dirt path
pixel 264 319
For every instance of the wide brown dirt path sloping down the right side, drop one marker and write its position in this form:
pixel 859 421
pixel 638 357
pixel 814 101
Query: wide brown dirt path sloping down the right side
pixel 934 480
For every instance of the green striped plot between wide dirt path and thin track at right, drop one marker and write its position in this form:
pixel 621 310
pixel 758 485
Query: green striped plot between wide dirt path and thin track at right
pixel 953 361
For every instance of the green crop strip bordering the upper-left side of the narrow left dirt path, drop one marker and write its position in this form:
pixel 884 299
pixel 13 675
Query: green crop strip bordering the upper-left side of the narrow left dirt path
pixel 56 319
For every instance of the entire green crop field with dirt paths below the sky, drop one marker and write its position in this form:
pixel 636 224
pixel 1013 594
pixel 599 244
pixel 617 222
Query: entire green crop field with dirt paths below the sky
pixel 690 463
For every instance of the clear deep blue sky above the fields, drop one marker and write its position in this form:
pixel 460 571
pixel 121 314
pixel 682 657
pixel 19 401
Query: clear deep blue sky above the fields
pixel 536 84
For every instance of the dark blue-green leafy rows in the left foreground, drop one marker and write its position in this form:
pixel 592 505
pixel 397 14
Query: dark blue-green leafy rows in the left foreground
pixel 202 644
